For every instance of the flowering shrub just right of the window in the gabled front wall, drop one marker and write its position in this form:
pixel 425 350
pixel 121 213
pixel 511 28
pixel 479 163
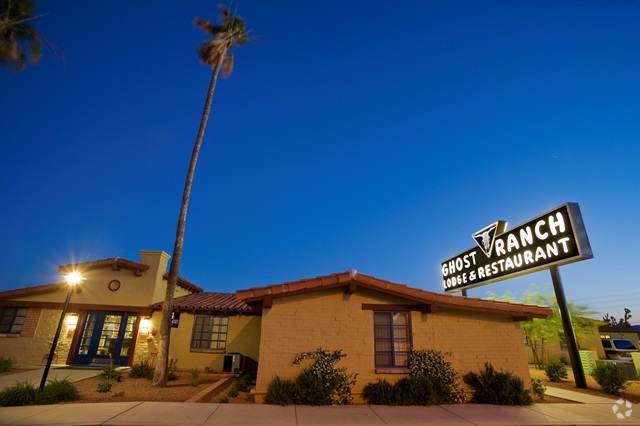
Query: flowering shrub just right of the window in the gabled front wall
pixel 431 364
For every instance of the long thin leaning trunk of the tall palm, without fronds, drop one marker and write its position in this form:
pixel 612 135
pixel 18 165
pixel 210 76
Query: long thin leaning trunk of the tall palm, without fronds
pixel 160 373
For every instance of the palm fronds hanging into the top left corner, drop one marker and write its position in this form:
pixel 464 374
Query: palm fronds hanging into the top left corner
pixel 19 41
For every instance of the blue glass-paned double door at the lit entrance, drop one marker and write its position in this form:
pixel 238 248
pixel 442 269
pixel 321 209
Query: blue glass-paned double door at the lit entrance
pixel 106 338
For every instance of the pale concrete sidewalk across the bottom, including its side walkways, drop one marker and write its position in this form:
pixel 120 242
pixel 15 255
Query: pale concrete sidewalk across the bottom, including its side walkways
pixel 589 410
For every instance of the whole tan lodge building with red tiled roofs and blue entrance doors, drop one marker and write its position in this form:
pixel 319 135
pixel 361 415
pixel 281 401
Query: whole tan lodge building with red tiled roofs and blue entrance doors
pixel 114 314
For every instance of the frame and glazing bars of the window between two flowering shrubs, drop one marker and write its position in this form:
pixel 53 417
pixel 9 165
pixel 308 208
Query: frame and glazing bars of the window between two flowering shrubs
pixel 392 339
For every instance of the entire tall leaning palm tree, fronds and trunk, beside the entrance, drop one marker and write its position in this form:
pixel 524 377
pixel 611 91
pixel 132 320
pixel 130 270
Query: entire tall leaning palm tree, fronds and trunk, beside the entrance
pixel 215 52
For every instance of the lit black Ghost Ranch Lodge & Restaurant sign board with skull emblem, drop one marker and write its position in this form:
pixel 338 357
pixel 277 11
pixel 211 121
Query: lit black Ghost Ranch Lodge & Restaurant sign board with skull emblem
pixel 554 238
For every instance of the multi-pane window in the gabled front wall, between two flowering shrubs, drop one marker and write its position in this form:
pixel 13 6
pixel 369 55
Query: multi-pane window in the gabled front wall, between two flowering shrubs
pixel 392 334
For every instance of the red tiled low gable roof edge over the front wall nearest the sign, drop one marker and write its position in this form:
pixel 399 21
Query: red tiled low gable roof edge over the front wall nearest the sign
pixel 354 280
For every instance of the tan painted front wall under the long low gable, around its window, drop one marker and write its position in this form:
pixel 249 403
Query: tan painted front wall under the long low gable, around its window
pixel 334 320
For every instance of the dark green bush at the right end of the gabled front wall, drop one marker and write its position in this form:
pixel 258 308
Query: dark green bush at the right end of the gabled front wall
pixel 500 388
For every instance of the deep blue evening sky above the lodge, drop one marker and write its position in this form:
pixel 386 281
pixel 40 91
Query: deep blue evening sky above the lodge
pixel 362 134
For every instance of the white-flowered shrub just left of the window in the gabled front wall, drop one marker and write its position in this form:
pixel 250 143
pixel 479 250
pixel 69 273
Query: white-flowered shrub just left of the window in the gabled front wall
pixel 334 380
